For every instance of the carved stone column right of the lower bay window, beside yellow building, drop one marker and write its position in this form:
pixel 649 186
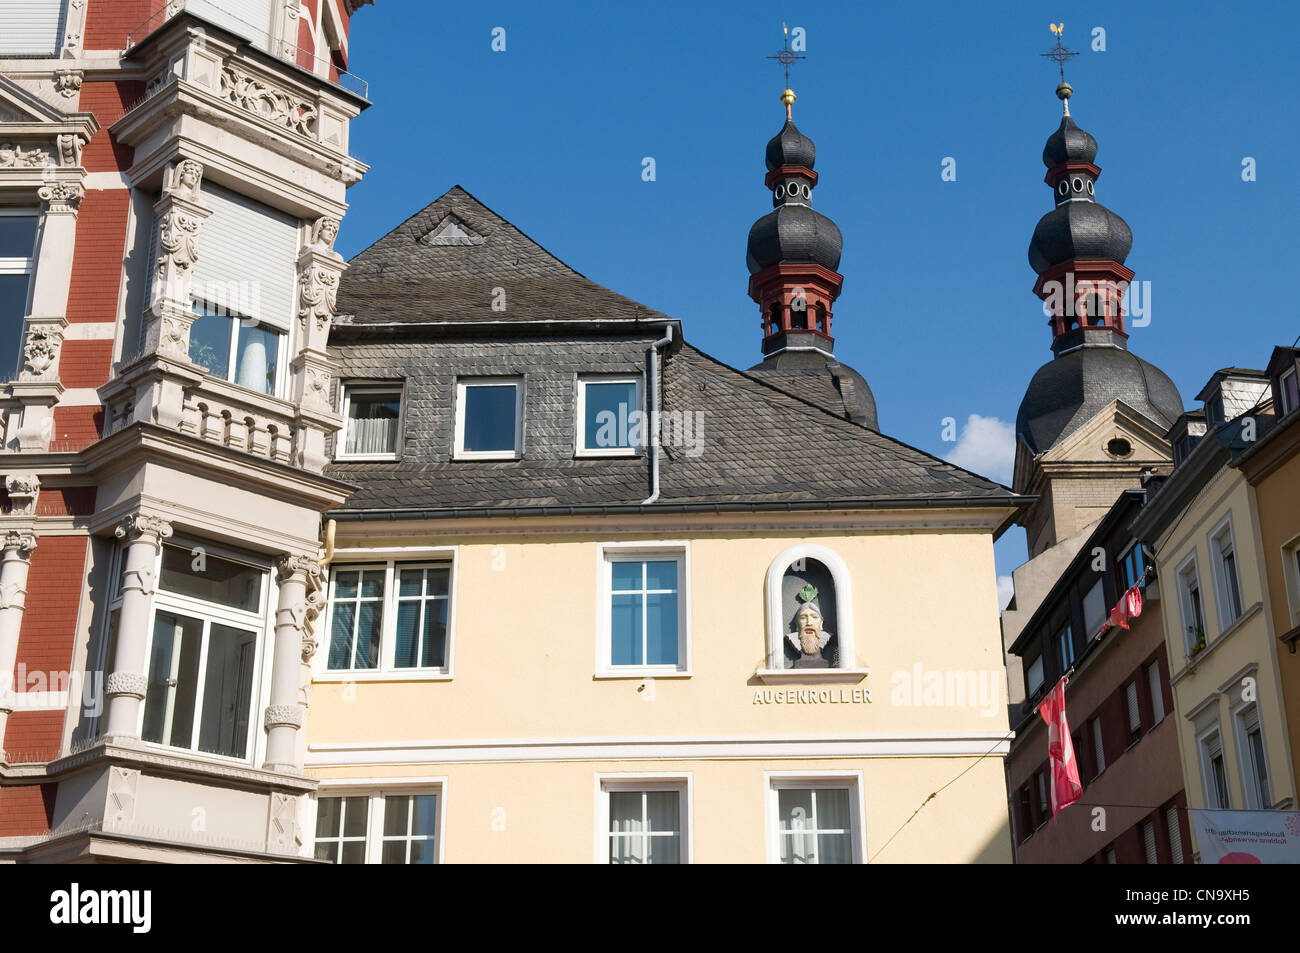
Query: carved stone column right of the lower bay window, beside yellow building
pixel 285 716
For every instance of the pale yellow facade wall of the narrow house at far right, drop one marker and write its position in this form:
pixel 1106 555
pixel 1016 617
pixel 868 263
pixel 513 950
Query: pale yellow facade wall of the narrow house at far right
pixel 1206 686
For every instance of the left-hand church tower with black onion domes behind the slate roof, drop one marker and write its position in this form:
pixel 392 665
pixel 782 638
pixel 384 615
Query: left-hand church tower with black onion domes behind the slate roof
pixel 794 257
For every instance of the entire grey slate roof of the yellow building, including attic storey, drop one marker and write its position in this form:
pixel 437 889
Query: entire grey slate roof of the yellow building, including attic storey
pixel 761 445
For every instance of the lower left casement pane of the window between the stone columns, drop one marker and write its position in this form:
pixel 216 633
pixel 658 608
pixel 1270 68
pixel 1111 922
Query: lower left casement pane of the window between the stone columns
pixel 174 679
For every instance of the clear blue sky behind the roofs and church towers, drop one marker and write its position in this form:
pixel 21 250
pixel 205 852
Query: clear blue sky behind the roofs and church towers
pixel 938 310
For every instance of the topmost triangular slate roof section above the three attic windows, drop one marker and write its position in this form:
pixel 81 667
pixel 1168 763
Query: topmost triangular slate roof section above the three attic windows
pixel 404 279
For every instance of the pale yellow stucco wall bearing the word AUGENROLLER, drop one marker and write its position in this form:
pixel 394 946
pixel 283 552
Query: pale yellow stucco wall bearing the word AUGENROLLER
pixel 525 670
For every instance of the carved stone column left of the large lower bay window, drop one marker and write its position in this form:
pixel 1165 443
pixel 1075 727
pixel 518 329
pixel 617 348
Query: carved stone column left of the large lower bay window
pixel 127 682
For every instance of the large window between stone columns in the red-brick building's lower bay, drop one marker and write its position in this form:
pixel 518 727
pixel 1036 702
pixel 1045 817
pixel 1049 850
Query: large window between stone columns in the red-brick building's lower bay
pixel 202 661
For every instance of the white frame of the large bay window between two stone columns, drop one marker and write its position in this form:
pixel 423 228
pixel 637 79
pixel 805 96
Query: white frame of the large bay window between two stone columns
pixel 261 622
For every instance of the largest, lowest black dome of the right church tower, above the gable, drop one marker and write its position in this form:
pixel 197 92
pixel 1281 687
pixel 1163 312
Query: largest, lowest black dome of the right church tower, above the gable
pixel 1072 389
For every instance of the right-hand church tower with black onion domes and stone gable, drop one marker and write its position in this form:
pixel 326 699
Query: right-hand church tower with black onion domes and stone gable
pixel 1095 415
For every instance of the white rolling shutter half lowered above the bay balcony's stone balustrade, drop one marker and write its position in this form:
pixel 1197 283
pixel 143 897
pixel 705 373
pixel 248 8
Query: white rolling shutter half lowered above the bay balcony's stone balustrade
pixel 248 258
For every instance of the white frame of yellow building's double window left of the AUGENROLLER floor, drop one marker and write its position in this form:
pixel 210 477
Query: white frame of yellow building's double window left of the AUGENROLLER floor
pixel 391 562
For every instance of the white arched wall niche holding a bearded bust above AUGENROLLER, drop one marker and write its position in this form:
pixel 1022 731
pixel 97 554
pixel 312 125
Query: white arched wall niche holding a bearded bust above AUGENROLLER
pixel 809 613
